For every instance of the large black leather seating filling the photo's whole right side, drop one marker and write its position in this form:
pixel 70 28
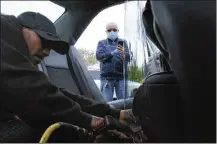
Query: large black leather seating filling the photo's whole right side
pixel 185 32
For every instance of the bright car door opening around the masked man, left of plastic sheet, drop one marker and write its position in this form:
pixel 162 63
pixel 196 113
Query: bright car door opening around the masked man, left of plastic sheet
pixel 95 31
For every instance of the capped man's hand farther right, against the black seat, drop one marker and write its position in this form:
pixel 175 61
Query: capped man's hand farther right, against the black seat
pixel 126 117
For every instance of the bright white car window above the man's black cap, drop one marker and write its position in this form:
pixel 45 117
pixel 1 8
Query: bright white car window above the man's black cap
pixel 47 8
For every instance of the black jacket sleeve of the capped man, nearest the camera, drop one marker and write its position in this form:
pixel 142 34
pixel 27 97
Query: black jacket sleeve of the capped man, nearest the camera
pixel 26 92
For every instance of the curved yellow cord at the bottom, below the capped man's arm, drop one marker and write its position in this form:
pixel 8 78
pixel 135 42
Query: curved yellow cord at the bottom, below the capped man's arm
pixel 48 132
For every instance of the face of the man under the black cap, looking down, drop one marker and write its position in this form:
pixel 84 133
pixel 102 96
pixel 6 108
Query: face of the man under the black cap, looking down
pixel 38 47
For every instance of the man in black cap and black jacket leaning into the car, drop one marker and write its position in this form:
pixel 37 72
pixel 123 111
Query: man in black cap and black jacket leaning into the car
pixel 27 92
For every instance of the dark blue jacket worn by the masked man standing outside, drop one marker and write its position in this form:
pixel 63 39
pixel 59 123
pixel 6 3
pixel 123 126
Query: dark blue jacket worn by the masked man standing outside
pixel 111 66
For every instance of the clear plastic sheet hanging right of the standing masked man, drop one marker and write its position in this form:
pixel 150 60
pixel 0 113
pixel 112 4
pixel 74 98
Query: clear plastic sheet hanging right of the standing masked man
pixel 135 33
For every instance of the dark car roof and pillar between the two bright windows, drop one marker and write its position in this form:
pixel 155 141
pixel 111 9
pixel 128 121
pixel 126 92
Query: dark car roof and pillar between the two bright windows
pixel 78 15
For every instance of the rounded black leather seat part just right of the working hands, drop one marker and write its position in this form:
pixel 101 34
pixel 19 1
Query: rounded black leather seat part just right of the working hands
pixel 159 100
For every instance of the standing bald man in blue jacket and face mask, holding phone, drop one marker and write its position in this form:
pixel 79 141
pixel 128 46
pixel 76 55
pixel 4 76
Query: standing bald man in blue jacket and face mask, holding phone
pixel 113 60
